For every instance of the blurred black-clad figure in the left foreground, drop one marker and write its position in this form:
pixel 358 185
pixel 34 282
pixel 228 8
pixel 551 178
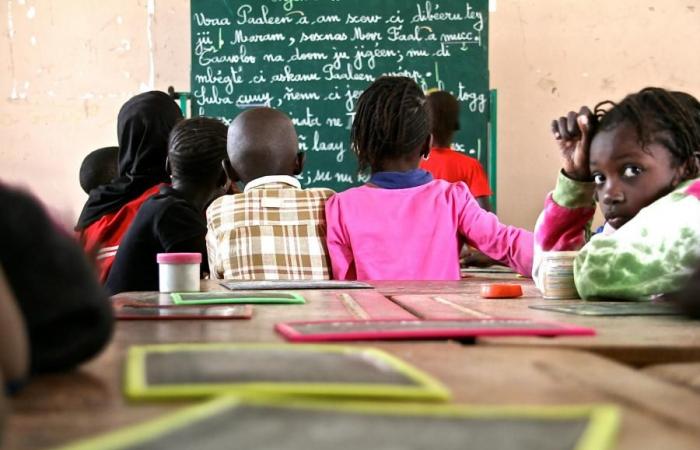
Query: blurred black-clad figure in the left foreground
pixel 66 312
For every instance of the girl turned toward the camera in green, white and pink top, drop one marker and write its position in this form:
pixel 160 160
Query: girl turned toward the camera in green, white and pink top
pixel 640 159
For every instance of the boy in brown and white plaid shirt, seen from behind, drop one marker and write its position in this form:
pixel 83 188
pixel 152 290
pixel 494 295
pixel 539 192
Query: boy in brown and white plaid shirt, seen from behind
pixel 274 230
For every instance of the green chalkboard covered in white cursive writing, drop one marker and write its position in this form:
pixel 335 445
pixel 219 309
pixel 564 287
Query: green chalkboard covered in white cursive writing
pixel 313 58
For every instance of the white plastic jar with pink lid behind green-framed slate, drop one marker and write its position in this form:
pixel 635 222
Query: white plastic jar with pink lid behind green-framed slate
pixel 178 272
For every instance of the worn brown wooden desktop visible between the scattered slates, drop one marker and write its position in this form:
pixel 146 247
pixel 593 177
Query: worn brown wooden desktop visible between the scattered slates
pixel 55 410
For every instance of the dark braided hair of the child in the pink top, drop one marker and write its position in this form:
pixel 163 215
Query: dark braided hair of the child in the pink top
pixel 390 120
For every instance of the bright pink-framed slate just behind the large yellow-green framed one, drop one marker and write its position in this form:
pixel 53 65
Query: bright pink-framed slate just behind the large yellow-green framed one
pixel 354 330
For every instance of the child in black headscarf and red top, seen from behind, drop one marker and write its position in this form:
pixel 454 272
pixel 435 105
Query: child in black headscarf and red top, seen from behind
pixel 143 126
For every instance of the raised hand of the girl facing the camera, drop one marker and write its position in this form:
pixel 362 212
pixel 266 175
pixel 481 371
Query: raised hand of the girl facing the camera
pixel 573 133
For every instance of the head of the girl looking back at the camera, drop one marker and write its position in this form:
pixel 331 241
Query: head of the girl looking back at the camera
pixel 643 147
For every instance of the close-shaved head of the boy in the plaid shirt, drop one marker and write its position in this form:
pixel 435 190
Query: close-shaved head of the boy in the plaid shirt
pixel 262 142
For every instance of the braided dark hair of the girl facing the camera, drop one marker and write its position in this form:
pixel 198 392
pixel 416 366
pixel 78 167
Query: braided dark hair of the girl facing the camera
pixel 668 118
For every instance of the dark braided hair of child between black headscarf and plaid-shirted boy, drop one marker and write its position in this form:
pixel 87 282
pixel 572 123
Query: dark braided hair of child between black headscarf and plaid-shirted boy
pixel 196 148
